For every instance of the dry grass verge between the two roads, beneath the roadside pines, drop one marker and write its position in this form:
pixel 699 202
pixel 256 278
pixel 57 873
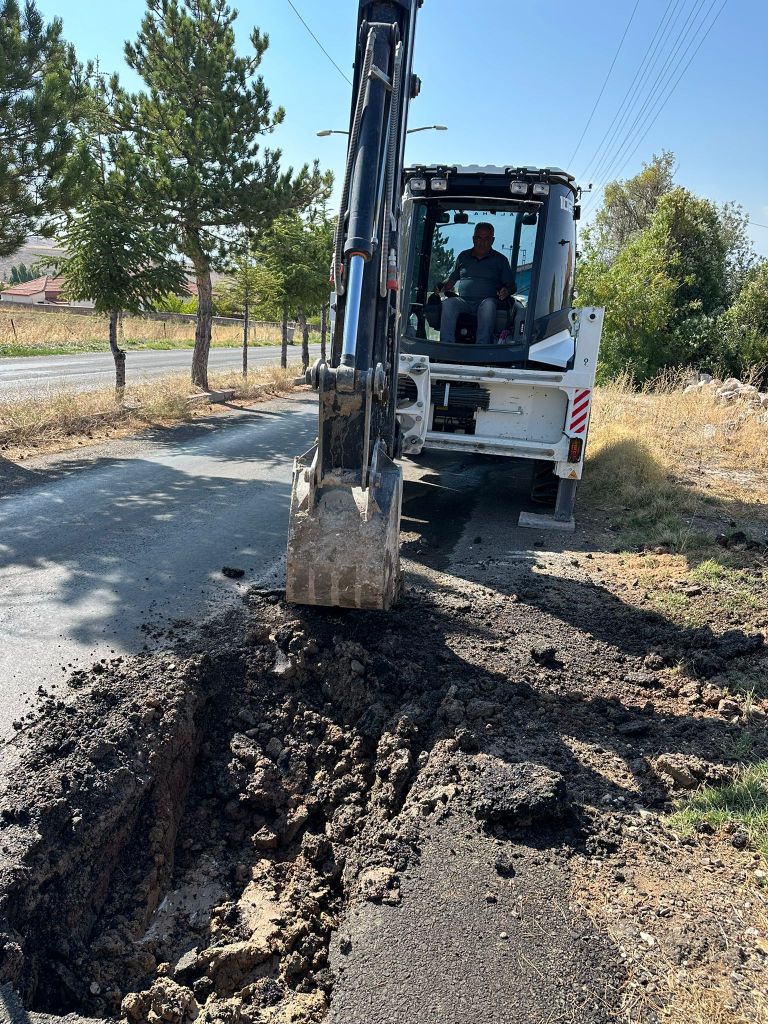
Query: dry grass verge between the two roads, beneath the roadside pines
pixel 63 419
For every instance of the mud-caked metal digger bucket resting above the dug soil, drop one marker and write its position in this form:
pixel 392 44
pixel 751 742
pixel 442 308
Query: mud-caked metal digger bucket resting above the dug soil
pixel 344 541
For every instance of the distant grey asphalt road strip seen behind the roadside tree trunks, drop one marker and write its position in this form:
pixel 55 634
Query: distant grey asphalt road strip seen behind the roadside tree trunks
pixel 95 370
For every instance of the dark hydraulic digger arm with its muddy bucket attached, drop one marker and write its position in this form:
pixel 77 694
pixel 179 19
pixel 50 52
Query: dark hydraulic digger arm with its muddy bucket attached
pixel 344 542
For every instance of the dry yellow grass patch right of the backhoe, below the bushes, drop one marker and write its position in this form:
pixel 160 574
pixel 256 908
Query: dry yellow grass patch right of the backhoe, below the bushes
pixel 663 460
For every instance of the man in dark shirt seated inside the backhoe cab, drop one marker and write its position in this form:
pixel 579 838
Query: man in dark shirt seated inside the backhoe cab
pixel 483 277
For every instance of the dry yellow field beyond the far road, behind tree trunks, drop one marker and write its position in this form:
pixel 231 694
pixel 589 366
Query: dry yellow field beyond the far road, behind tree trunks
pixel 28 333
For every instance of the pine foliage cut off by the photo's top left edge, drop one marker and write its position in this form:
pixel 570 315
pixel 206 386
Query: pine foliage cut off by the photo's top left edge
pixel 40 83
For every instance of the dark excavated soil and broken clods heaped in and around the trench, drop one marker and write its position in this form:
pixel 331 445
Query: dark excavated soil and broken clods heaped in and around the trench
pixel 183 841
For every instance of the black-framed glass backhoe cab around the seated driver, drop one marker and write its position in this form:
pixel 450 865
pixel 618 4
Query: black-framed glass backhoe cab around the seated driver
pixel 533 214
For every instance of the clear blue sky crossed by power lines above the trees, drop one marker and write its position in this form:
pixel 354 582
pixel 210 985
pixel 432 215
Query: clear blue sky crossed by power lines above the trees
pixel 516 83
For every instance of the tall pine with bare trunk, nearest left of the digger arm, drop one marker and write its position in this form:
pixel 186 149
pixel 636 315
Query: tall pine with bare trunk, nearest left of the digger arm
pixel 197 140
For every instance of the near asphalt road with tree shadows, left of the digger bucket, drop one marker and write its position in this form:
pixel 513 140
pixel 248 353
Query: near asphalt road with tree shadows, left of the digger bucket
pixel 97 545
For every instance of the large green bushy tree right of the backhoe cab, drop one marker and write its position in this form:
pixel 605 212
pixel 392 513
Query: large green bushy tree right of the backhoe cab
pixel 667 265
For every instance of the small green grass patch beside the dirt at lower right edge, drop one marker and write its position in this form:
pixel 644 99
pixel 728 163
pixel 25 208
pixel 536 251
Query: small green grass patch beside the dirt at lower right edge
pixel 743 803
